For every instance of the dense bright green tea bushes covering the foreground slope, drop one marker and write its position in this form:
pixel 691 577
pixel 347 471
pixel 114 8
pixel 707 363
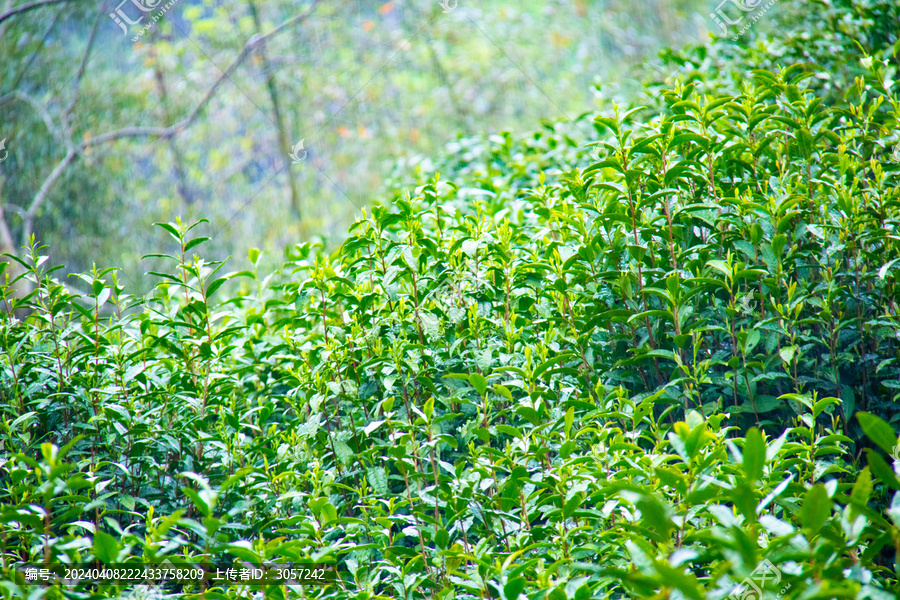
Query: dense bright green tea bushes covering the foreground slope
pixel 639 368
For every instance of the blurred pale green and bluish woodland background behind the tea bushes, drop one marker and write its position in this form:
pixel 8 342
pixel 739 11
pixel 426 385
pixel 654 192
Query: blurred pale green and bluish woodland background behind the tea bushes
pixel 370 88
